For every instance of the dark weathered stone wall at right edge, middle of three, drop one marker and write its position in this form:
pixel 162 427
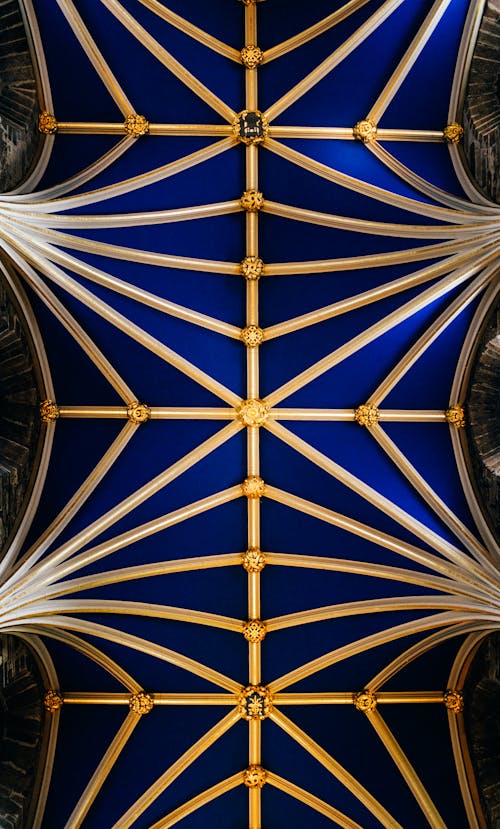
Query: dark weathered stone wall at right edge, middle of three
pixel 483 420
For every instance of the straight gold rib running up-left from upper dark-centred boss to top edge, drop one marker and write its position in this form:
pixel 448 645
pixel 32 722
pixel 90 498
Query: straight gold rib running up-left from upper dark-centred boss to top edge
pixel 168 60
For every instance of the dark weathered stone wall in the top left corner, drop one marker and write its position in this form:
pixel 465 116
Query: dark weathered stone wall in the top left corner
pixel 19 109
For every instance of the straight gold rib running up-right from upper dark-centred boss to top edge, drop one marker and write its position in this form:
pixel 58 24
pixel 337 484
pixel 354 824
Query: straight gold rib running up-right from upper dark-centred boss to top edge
pixel 333 60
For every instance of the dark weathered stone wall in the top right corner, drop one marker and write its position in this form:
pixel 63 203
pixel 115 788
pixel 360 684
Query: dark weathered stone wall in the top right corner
pixel 481 116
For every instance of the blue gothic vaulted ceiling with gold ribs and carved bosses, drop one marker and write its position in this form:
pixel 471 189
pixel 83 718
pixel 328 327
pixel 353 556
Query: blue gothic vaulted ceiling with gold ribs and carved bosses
pixel 258 267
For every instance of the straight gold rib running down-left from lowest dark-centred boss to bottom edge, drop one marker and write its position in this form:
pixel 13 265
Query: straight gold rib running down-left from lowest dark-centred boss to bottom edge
pixel 186 759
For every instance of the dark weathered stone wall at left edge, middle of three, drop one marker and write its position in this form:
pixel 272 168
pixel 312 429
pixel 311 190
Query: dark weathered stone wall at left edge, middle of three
pixel 19 415
